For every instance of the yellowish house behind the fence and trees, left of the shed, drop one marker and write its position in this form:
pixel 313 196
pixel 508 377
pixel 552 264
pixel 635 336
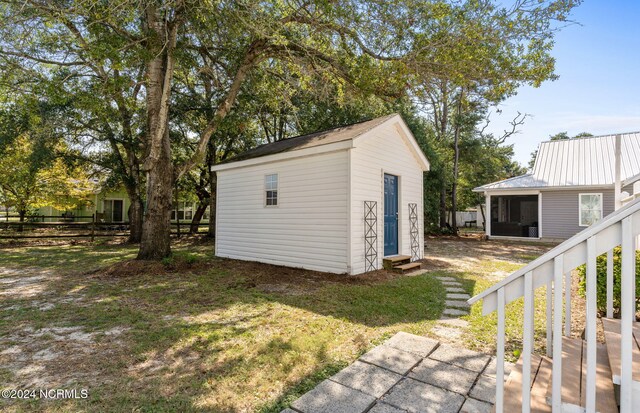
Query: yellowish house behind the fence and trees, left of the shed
pixel 112 206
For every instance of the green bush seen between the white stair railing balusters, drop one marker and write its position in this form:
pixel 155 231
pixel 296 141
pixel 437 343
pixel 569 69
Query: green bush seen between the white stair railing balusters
pixel 602 280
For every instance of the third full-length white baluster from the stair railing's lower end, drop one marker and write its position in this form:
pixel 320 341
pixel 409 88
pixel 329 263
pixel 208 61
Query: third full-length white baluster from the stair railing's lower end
pixel 556 378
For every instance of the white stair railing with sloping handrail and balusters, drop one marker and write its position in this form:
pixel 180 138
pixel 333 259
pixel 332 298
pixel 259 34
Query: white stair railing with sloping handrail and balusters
pixel 617 229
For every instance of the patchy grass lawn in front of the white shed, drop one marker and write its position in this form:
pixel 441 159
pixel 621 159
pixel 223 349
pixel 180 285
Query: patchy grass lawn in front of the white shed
pixel 194 333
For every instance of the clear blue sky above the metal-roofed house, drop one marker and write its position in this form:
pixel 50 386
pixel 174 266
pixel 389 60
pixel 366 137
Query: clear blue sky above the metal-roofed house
pixel 598 91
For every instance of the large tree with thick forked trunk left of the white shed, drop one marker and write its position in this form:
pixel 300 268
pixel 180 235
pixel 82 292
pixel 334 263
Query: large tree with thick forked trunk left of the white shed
pixel 380 46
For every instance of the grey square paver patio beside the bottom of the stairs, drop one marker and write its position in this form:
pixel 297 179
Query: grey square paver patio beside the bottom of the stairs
pixel 408 373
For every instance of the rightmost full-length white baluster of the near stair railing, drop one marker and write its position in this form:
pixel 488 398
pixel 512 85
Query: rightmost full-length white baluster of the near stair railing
pixel 627 310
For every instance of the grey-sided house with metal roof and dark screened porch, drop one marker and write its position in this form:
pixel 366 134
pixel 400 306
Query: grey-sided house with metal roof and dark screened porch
pixel 573 184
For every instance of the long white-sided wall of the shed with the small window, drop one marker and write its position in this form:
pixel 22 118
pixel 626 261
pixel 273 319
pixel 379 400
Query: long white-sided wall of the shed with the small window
pixel 308 229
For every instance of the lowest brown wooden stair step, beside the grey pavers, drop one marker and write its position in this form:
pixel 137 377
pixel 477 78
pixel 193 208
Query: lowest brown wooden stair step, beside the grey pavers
pixel 540 373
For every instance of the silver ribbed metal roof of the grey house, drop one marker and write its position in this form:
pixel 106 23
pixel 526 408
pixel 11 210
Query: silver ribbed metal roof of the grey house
pixel 578 162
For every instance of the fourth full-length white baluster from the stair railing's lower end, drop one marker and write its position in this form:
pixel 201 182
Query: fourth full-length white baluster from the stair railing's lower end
pixel 590 334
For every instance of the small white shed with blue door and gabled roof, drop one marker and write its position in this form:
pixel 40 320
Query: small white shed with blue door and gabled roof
pixel 336 201
